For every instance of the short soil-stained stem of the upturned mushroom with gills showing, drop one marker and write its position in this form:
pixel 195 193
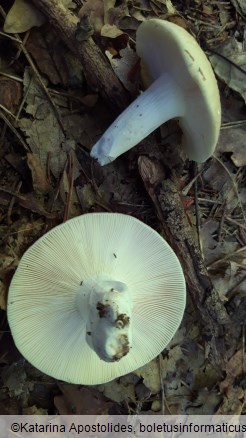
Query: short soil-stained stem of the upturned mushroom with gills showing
pixel 108 329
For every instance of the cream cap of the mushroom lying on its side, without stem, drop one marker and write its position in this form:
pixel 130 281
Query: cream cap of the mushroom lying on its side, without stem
pixel 167 48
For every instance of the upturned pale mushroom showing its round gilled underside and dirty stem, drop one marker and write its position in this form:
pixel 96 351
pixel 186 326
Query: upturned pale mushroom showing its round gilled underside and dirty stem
pixel 96 298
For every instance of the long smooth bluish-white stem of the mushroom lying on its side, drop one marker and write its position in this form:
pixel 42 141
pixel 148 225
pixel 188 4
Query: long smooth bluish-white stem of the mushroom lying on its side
pixel 162 101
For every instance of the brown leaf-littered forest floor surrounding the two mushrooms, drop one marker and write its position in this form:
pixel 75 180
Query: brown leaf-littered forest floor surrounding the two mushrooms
pixel 50 117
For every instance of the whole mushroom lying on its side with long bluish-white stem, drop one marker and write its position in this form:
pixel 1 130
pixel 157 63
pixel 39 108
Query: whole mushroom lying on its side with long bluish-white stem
pixel 183 87
